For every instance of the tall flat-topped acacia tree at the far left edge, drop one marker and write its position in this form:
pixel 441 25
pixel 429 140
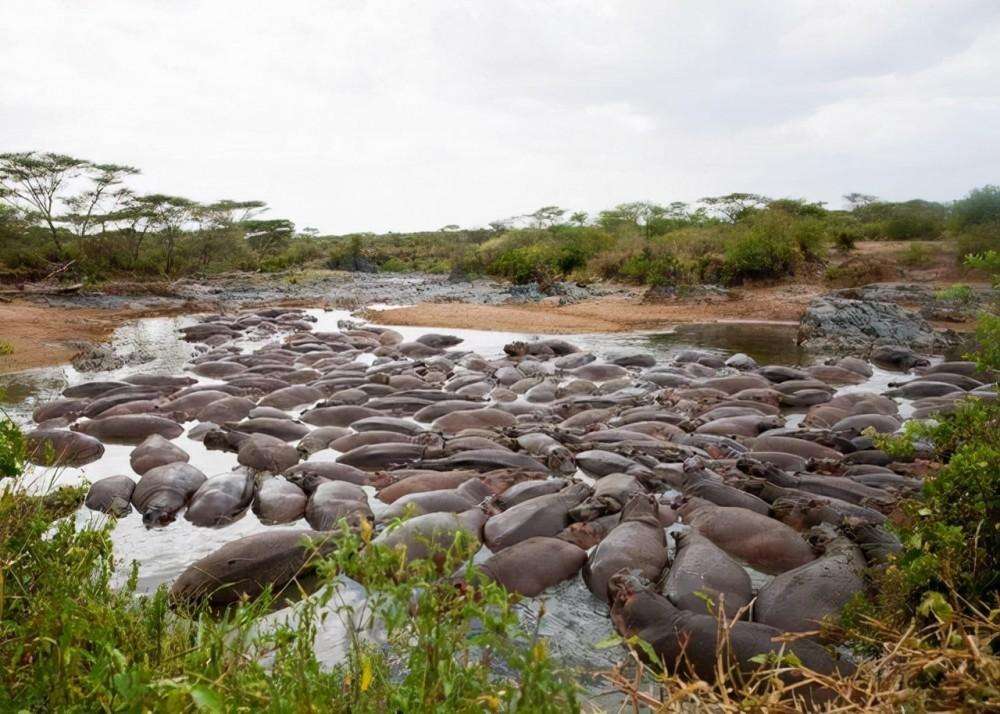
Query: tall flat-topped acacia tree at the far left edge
pixel 32 182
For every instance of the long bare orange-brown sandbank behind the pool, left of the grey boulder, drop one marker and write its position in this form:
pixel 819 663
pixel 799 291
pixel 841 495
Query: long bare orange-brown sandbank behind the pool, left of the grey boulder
pixel 609 314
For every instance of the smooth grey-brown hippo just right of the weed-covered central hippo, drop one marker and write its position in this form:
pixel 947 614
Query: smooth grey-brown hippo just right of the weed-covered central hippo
pixel 541 516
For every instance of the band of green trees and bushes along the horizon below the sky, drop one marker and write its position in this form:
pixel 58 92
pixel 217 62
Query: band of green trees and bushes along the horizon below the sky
pixel 55 209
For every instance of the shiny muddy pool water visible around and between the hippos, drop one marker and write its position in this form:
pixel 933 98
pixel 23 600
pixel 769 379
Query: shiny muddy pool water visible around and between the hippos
pixel 573 619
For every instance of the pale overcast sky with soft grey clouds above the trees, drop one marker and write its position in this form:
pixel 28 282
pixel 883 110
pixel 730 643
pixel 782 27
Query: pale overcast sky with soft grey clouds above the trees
pixel 380 116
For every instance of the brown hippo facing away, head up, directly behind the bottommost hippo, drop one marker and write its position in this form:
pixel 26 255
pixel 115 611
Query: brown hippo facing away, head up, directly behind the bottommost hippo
pixel 637 542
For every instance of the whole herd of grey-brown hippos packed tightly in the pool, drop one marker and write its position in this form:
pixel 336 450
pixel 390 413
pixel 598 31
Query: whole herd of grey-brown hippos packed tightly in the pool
pixel 558 462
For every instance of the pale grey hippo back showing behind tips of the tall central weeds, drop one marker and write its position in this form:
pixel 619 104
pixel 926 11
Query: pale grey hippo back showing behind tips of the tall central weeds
pixel 432 535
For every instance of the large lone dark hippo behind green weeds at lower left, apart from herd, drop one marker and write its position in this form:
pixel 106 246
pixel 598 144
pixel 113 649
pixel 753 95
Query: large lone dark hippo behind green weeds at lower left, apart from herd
pixel 246 567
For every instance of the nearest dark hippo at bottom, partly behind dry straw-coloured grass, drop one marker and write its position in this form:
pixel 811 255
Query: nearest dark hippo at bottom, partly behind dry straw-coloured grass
pixel 687 642
